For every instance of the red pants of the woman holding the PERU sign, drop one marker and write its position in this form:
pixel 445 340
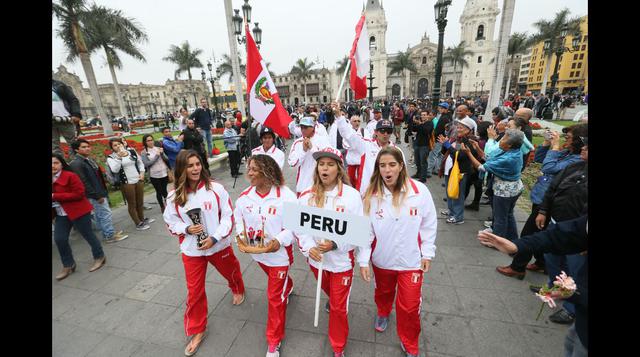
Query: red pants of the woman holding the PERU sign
pixel 334 286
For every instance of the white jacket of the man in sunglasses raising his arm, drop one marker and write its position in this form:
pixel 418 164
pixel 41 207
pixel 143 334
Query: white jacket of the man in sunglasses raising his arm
pixel 367 148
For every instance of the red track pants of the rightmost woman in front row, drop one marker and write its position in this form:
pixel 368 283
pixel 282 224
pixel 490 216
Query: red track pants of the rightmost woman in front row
pixel 408 302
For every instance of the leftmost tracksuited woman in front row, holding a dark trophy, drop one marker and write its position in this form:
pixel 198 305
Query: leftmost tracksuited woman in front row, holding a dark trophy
pixel 200 214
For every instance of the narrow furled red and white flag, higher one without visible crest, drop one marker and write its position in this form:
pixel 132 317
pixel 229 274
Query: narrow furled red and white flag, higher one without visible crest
pixel 360 60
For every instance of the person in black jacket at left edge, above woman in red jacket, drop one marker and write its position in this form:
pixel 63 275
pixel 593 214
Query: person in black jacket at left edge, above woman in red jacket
pixel 65 113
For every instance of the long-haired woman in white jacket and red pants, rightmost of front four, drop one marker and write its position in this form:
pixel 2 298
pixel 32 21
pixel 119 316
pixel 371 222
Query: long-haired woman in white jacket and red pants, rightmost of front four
pixel 403 221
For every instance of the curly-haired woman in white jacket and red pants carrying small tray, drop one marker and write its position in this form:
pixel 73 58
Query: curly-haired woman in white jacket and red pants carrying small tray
pixel 259 223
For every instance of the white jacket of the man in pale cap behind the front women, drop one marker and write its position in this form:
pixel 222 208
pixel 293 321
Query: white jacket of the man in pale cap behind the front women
pixel 304 160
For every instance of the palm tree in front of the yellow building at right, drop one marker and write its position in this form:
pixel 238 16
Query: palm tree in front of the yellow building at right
pixel 550 30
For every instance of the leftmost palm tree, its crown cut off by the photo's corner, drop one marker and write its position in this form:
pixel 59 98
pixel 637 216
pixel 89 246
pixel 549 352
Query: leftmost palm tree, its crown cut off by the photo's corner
pixel 72 15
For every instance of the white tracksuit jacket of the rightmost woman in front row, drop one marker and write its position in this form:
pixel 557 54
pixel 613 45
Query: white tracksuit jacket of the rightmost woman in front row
pixel 402 237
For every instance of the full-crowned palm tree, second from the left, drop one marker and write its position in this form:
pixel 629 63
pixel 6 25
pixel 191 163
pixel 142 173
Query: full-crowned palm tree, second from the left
pixel 110 30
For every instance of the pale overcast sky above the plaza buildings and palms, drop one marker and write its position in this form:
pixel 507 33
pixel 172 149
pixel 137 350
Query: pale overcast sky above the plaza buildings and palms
pixel 321 30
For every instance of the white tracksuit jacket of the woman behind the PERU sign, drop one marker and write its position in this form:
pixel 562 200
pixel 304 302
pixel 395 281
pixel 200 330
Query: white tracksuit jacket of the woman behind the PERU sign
pixel 342 259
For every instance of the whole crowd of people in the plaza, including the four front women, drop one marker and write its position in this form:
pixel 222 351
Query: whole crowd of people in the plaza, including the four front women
pixel 348 159
